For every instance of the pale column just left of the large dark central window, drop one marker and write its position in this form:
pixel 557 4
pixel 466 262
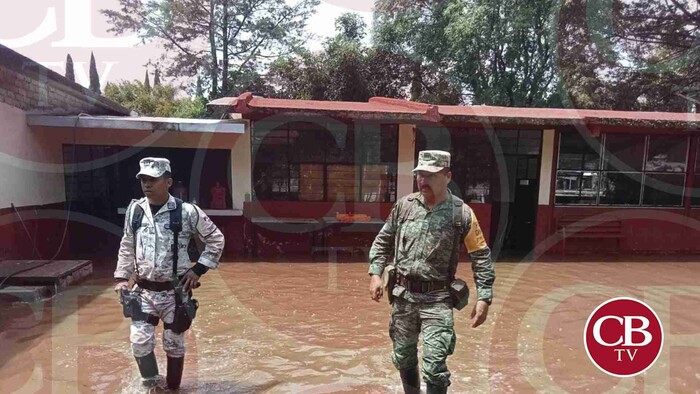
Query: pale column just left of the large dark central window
pixel 241 168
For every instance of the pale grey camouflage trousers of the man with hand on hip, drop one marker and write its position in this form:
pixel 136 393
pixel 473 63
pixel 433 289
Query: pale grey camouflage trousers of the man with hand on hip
pixel 143 335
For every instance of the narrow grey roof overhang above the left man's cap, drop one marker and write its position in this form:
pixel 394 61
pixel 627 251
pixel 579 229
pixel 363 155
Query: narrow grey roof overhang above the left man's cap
pixel 140 123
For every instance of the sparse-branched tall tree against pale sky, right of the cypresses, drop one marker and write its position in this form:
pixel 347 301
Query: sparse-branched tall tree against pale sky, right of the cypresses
pixel 236 34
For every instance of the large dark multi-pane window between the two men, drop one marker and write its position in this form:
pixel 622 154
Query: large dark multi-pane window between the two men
pixel 335 162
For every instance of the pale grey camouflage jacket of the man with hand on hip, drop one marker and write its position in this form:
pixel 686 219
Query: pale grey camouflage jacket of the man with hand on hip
pixel 151 255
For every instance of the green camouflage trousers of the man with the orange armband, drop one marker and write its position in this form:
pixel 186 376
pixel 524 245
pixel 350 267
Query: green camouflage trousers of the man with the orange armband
pixel 434 321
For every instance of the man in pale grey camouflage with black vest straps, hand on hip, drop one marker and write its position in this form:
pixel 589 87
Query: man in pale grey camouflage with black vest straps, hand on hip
pixel 163 273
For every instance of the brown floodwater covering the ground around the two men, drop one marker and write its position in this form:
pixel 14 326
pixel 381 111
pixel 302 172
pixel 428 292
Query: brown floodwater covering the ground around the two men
pixel 308 327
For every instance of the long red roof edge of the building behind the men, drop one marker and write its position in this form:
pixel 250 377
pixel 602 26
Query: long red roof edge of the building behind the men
pixel 254 107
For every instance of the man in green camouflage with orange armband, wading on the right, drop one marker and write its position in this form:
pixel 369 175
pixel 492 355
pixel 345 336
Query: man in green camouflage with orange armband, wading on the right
pixel 422 235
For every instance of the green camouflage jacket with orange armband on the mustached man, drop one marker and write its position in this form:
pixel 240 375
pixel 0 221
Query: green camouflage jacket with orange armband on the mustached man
pixel 422 242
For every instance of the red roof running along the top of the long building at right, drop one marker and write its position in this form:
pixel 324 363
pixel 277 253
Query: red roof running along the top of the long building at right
pixel 247 104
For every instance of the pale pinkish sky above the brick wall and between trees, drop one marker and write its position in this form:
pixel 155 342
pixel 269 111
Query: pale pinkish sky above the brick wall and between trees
pixel 47 30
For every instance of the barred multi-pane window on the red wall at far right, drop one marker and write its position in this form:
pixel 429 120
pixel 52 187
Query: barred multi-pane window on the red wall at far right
pixel 621 170
